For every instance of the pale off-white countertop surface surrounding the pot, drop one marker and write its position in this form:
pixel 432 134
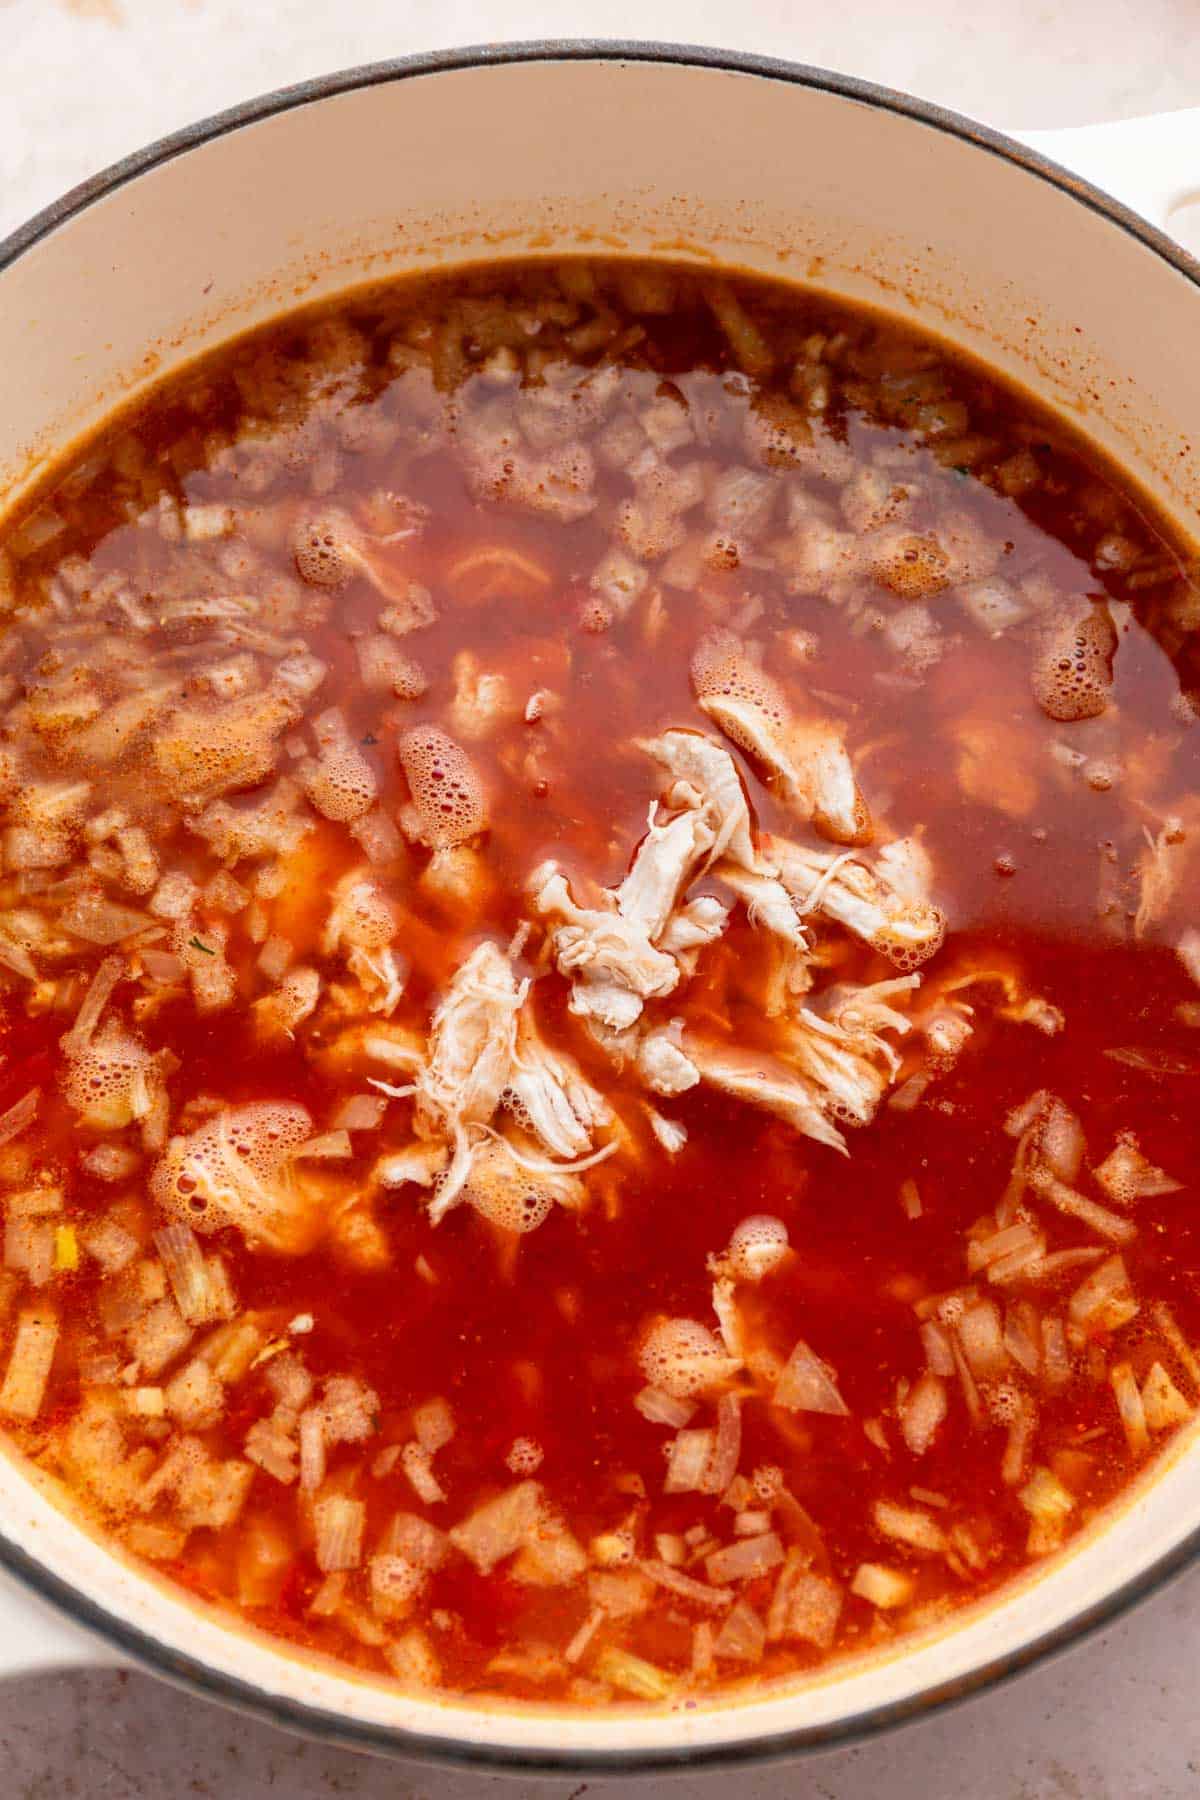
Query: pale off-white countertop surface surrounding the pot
pixel 84 82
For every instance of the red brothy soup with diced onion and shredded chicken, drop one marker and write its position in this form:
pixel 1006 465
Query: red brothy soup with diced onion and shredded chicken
pixel 600 984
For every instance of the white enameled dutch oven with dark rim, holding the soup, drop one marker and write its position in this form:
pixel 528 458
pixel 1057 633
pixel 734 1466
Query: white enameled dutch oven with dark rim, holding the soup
pixel 688 154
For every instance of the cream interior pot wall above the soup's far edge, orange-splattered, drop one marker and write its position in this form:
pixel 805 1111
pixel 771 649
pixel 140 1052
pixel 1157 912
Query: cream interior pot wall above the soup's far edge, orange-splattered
pixel 593 156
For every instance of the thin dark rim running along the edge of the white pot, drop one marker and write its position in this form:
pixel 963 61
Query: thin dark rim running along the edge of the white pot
pixel 544 1759
